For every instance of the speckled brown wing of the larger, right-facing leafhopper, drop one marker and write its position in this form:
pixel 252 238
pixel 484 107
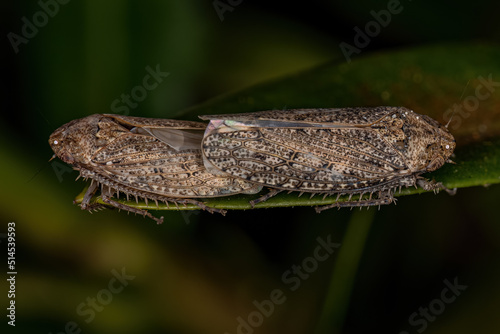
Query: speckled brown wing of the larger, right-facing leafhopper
pixel 327 158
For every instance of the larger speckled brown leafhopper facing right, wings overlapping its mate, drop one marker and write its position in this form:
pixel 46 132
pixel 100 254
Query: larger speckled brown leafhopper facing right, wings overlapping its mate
pixel 369 152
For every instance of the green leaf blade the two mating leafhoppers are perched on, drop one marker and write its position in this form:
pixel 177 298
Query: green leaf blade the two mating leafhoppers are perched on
pixel 443 81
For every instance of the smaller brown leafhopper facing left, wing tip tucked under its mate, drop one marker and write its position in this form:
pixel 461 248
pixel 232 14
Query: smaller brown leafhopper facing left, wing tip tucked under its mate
pixel 156 159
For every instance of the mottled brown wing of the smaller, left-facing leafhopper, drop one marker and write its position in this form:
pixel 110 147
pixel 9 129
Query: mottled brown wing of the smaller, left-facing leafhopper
pixel 144 162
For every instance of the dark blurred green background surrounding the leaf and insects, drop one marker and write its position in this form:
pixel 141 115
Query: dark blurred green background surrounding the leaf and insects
pixel 197 273
